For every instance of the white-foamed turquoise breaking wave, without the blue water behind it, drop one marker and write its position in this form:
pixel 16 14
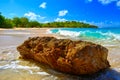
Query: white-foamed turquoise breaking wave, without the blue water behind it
pixel 87 34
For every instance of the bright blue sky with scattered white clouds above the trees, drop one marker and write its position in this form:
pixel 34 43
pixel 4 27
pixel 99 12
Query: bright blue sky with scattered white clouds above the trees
pixel 103 13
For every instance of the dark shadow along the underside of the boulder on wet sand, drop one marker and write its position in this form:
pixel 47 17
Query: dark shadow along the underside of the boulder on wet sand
pixel 107 74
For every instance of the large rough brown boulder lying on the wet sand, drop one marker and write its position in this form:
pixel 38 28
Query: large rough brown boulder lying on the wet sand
pixel 74 57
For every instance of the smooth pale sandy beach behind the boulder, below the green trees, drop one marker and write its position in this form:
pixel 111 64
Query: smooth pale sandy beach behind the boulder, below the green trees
pixel 13 37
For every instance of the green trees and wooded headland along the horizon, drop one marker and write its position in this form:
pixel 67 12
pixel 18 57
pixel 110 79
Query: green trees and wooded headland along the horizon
pixel 24 22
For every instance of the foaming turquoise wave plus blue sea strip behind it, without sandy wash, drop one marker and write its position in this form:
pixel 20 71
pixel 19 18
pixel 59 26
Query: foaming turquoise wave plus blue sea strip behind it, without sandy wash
pixel 99 34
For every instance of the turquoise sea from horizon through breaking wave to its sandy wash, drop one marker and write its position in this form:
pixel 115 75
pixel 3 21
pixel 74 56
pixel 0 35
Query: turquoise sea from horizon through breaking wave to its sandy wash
pixel 98 35
